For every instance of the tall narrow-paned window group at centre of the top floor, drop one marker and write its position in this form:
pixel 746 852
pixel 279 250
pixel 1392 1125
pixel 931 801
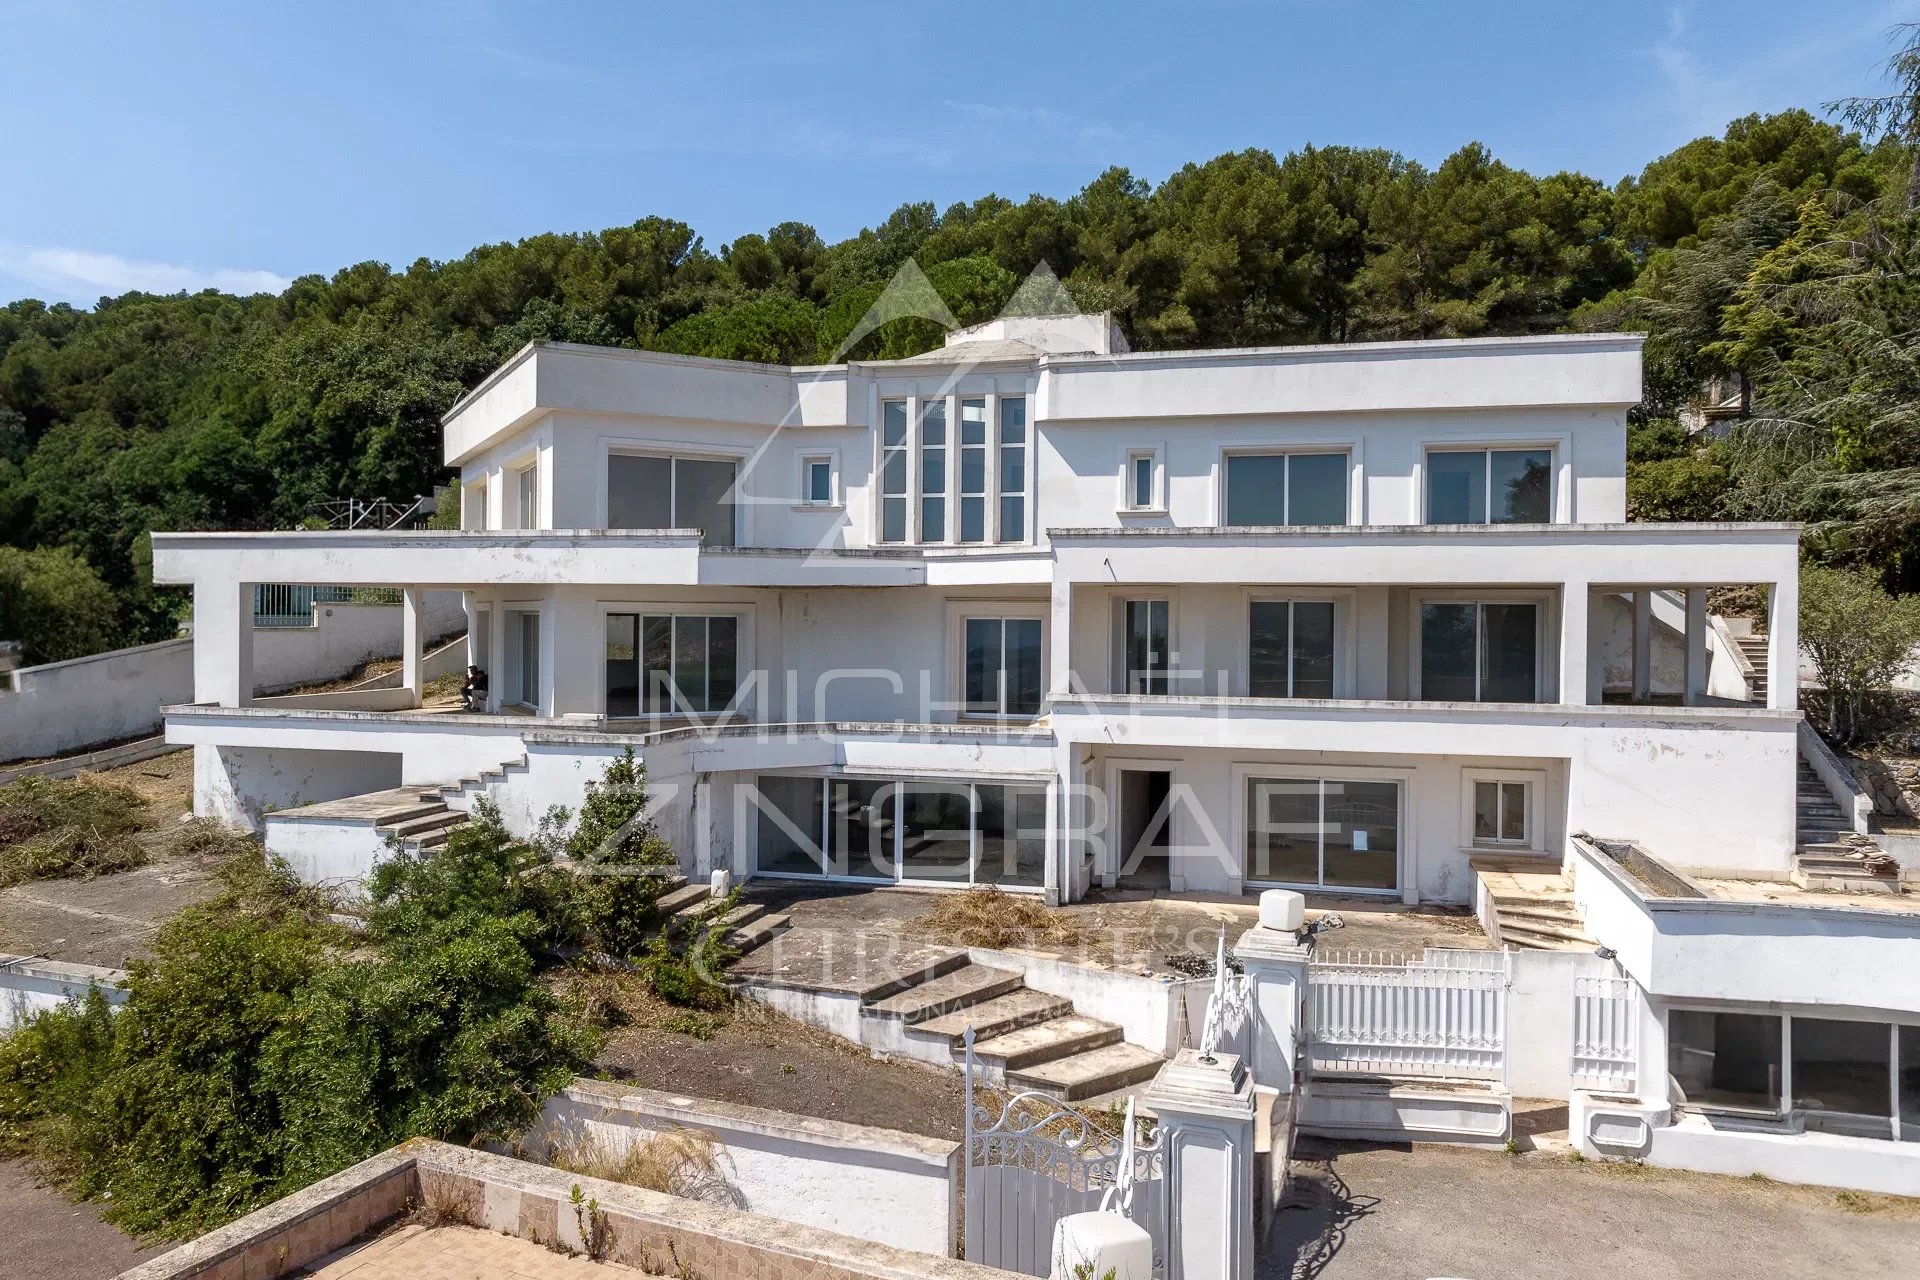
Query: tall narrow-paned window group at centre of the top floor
pixel 946 486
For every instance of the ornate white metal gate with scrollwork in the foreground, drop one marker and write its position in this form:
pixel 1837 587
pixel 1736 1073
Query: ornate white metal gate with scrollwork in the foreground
pixel 1032 1162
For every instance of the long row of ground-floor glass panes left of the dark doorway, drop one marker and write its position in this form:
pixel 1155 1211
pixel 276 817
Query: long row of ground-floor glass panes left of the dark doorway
pixel 940 832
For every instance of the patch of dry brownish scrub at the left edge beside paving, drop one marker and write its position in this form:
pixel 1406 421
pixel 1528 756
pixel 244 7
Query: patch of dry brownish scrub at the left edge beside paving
pixel 68 828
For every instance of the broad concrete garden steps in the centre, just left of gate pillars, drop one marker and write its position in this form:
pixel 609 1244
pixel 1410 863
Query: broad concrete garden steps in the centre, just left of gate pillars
pixel 1022 1039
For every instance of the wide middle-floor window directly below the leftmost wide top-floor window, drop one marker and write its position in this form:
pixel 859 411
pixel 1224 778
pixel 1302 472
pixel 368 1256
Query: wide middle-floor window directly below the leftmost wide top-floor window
pixel 663 665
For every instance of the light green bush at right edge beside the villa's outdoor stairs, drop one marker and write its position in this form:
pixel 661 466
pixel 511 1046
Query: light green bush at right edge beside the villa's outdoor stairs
pixel 1860 640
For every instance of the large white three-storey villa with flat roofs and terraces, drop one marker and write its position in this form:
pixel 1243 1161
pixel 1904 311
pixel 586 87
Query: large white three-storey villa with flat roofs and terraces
pixel 1053 615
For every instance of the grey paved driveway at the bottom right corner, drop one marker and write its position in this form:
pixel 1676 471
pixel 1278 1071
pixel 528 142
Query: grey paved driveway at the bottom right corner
pixel 1397 1214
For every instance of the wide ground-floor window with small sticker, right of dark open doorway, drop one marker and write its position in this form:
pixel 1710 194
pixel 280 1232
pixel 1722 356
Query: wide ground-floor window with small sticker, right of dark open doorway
pixel 1324 832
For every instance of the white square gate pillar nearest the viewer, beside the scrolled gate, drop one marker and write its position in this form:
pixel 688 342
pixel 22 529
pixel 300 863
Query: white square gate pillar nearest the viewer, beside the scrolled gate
pixel 1207 1135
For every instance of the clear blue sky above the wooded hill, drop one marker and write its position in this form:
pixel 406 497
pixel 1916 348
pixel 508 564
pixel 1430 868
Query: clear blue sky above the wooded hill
pixel 239 145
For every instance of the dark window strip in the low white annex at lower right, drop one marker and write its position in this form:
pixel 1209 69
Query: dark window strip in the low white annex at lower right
pixel 1838 1076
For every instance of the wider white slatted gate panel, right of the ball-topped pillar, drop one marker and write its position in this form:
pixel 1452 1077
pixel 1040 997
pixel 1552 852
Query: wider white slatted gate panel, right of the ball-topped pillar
pixel 1443 1014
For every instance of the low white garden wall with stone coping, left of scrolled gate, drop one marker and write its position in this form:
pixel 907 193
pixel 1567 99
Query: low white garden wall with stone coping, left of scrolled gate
pixel 873 1183
